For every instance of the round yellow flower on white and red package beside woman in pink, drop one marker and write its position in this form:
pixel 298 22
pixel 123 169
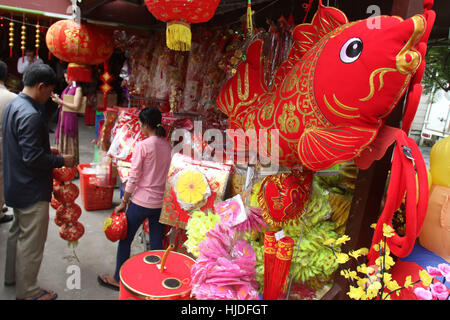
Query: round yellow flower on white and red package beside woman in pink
pixel 191 187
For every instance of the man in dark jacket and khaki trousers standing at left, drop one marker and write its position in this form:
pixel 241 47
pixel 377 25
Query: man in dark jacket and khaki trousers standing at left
pixel 28 163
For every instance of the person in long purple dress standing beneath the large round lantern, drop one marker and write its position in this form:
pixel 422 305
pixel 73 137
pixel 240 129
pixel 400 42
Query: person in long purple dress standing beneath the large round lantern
pixel 66 132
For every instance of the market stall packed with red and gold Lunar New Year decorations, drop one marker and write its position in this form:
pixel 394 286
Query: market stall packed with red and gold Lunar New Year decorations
pixel 293 222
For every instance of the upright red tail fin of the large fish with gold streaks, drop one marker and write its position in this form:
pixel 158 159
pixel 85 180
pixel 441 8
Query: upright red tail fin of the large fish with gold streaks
pixel 246 85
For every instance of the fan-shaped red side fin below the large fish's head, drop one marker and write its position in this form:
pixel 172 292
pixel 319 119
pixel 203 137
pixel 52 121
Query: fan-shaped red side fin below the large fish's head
pixel 321 148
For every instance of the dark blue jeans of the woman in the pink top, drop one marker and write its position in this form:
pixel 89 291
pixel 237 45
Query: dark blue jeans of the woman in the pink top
pixel 135 217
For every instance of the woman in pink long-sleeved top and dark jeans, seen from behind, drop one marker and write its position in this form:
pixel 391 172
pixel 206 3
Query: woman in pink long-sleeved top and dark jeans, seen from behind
pixel 145 187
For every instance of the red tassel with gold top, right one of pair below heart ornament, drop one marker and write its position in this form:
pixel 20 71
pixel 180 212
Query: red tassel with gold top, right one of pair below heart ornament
pixel 280 269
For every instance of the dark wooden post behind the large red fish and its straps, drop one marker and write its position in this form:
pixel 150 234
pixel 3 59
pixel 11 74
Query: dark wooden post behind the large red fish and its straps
pixel 371 183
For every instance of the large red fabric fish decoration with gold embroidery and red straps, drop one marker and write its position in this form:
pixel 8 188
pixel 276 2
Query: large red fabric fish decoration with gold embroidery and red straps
pixel 331 96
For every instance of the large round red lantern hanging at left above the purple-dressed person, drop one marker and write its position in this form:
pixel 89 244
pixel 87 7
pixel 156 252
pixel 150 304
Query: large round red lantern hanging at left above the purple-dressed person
pixel 79 44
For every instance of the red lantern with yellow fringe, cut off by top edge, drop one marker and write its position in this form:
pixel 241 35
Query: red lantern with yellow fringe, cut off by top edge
pixel 179 14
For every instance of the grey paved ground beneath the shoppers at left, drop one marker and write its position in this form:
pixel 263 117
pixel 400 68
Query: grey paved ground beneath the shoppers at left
pixel 95 252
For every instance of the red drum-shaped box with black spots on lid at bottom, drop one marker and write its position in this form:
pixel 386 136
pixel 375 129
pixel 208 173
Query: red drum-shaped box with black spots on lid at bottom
pixel 156 275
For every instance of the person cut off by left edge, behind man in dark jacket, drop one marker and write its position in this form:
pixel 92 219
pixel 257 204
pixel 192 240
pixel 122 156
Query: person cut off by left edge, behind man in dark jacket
pixel 5 97
